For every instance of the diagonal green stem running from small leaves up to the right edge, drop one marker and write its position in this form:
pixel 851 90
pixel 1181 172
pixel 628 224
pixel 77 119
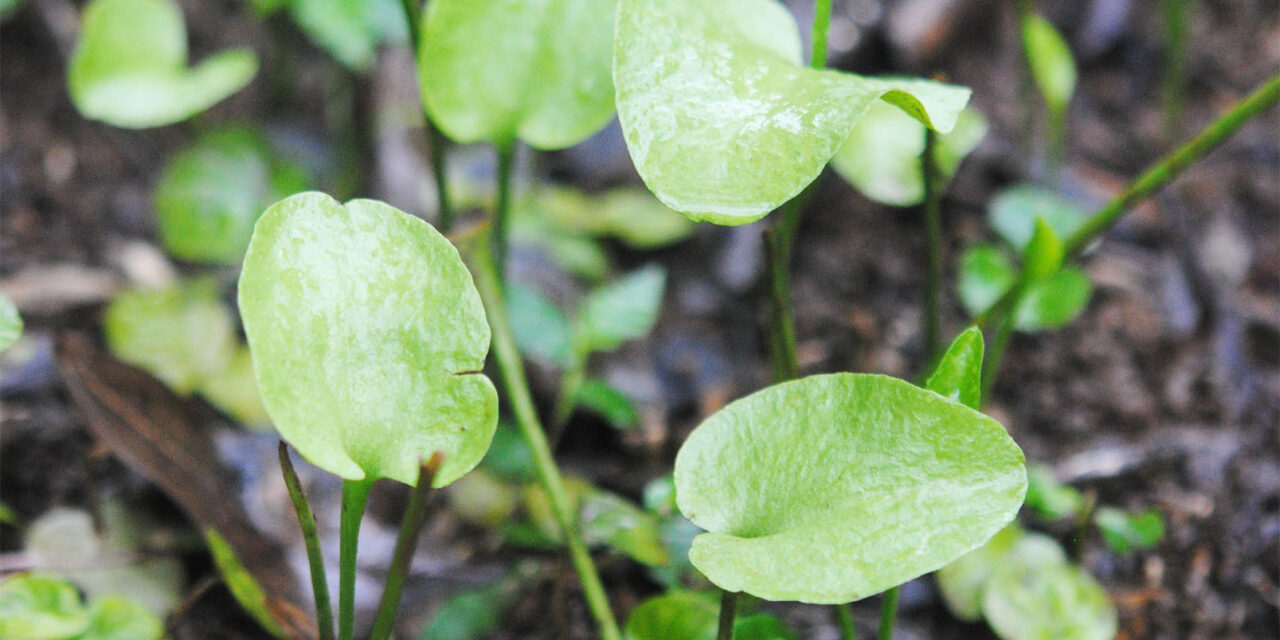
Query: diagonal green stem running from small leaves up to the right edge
pixel 1173 164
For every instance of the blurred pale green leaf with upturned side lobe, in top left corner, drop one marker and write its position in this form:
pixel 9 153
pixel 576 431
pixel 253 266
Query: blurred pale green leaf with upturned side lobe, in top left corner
pixel 130 67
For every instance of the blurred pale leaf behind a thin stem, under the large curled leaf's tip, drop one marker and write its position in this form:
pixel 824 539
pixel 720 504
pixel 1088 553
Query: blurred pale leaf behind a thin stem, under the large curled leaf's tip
pixel 883 156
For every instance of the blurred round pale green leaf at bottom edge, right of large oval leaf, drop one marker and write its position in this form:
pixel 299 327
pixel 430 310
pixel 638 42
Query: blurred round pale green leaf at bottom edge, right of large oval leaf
pixel 1035 595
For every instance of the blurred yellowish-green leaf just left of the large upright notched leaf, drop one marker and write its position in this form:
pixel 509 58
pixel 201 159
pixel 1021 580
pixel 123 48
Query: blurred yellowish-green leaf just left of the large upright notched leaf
pixel 182 335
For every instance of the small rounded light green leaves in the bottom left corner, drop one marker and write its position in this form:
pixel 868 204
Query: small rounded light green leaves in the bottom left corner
pixel 43 607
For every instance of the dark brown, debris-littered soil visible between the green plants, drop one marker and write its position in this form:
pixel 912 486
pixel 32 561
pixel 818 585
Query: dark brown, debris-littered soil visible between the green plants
pixel 1164 395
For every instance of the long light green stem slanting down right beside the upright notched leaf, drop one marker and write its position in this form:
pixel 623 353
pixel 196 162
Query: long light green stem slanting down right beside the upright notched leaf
pixel 527 419
